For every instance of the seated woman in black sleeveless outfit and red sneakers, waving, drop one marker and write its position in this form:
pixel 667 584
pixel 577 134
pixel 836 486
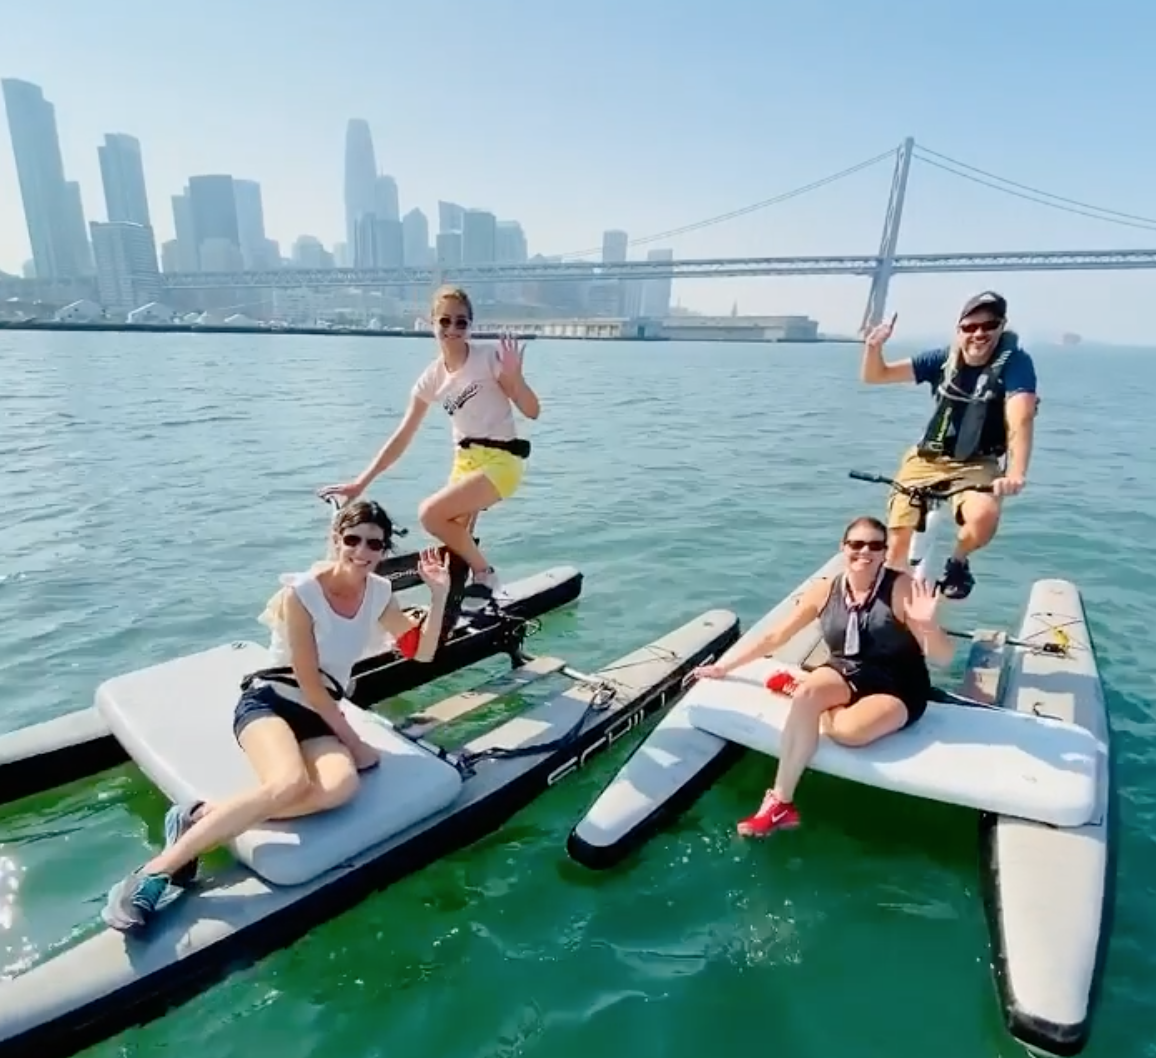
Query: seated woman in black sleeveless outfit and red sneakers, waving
pixel 878 625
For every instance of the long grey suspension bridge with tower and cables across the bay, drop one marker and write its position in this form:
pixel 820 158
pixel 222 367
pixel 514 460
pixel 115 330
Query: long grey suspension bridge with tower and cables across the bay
pixel 880 268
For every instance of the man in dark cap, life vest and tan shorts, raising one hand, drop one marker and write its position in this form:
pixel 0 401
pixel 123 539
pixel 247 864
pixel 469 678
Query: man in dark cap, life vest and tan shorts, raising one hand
pixel 981 433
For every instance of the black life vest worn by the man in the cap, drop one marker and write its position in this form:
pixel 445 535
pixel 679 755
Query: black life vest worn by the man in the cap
pixel 981 431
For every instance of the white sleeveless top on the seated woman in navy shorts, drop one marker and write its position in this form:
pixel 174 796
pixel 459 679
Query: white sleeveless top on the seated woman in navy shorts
pixel 342 642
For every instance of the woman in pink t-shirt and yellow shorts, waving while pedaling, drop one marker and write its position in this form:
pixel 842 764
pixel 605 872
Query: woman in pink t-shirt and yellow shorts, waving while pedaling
pixel 479 387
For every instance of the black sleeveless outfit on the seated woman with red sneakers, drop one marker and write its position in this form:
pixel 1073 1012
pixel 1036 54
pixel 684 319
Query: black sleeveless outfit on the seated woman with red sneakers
pixel 890 660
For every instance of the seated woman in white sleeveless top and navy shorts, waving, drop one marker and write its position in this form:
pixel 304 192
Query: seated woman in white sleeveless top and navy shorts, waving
pixel 288 720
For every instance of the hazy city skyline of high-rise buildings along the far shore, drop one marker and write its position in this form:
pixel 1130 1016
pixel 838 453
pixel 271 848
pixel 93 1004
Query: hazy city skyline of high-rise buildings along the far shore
pixel 219 231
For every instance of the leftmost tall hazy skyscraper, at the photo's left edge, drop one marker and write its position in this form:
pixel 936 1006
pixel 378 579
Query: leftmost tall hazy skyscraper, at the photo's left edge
pixel 60 247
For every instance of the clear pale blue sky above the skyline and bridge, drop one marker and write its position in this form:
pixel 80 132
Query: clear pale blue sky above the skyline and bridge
pixel 641 115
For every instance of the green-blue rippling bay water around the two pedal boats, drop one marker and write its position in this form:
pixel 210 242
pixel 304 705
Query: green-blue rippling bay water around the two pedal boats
pixel 155 486
